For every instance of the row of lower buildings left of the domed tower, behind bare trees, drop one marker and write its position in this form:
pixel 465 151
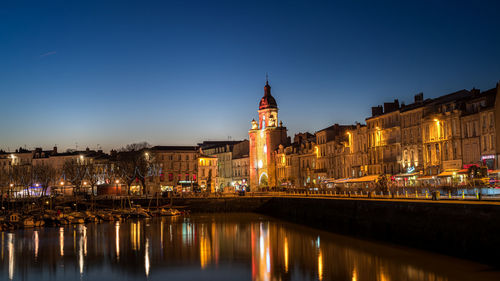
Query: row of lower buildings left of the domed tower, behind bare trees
pixel 209 166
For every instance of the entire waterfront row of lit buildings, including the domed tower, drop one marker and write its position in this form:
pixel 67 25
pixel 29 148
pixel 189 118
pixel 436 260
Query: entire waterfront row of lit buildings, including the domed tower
pixel 428 140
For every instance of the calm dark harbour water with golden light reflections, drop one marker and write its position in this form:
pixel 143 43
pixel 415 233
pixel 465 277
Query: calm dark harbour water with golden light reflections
pixel 216 247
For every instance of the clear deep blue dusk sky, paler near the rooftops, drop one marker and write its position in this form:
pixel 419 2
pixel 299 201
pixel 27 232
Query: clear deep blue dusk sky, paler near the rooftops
pixel 107 73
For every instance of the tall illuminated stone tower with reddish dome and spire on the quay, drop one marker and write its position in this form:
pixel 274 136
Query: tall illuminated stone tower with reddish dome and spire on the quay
pixel 265 137
